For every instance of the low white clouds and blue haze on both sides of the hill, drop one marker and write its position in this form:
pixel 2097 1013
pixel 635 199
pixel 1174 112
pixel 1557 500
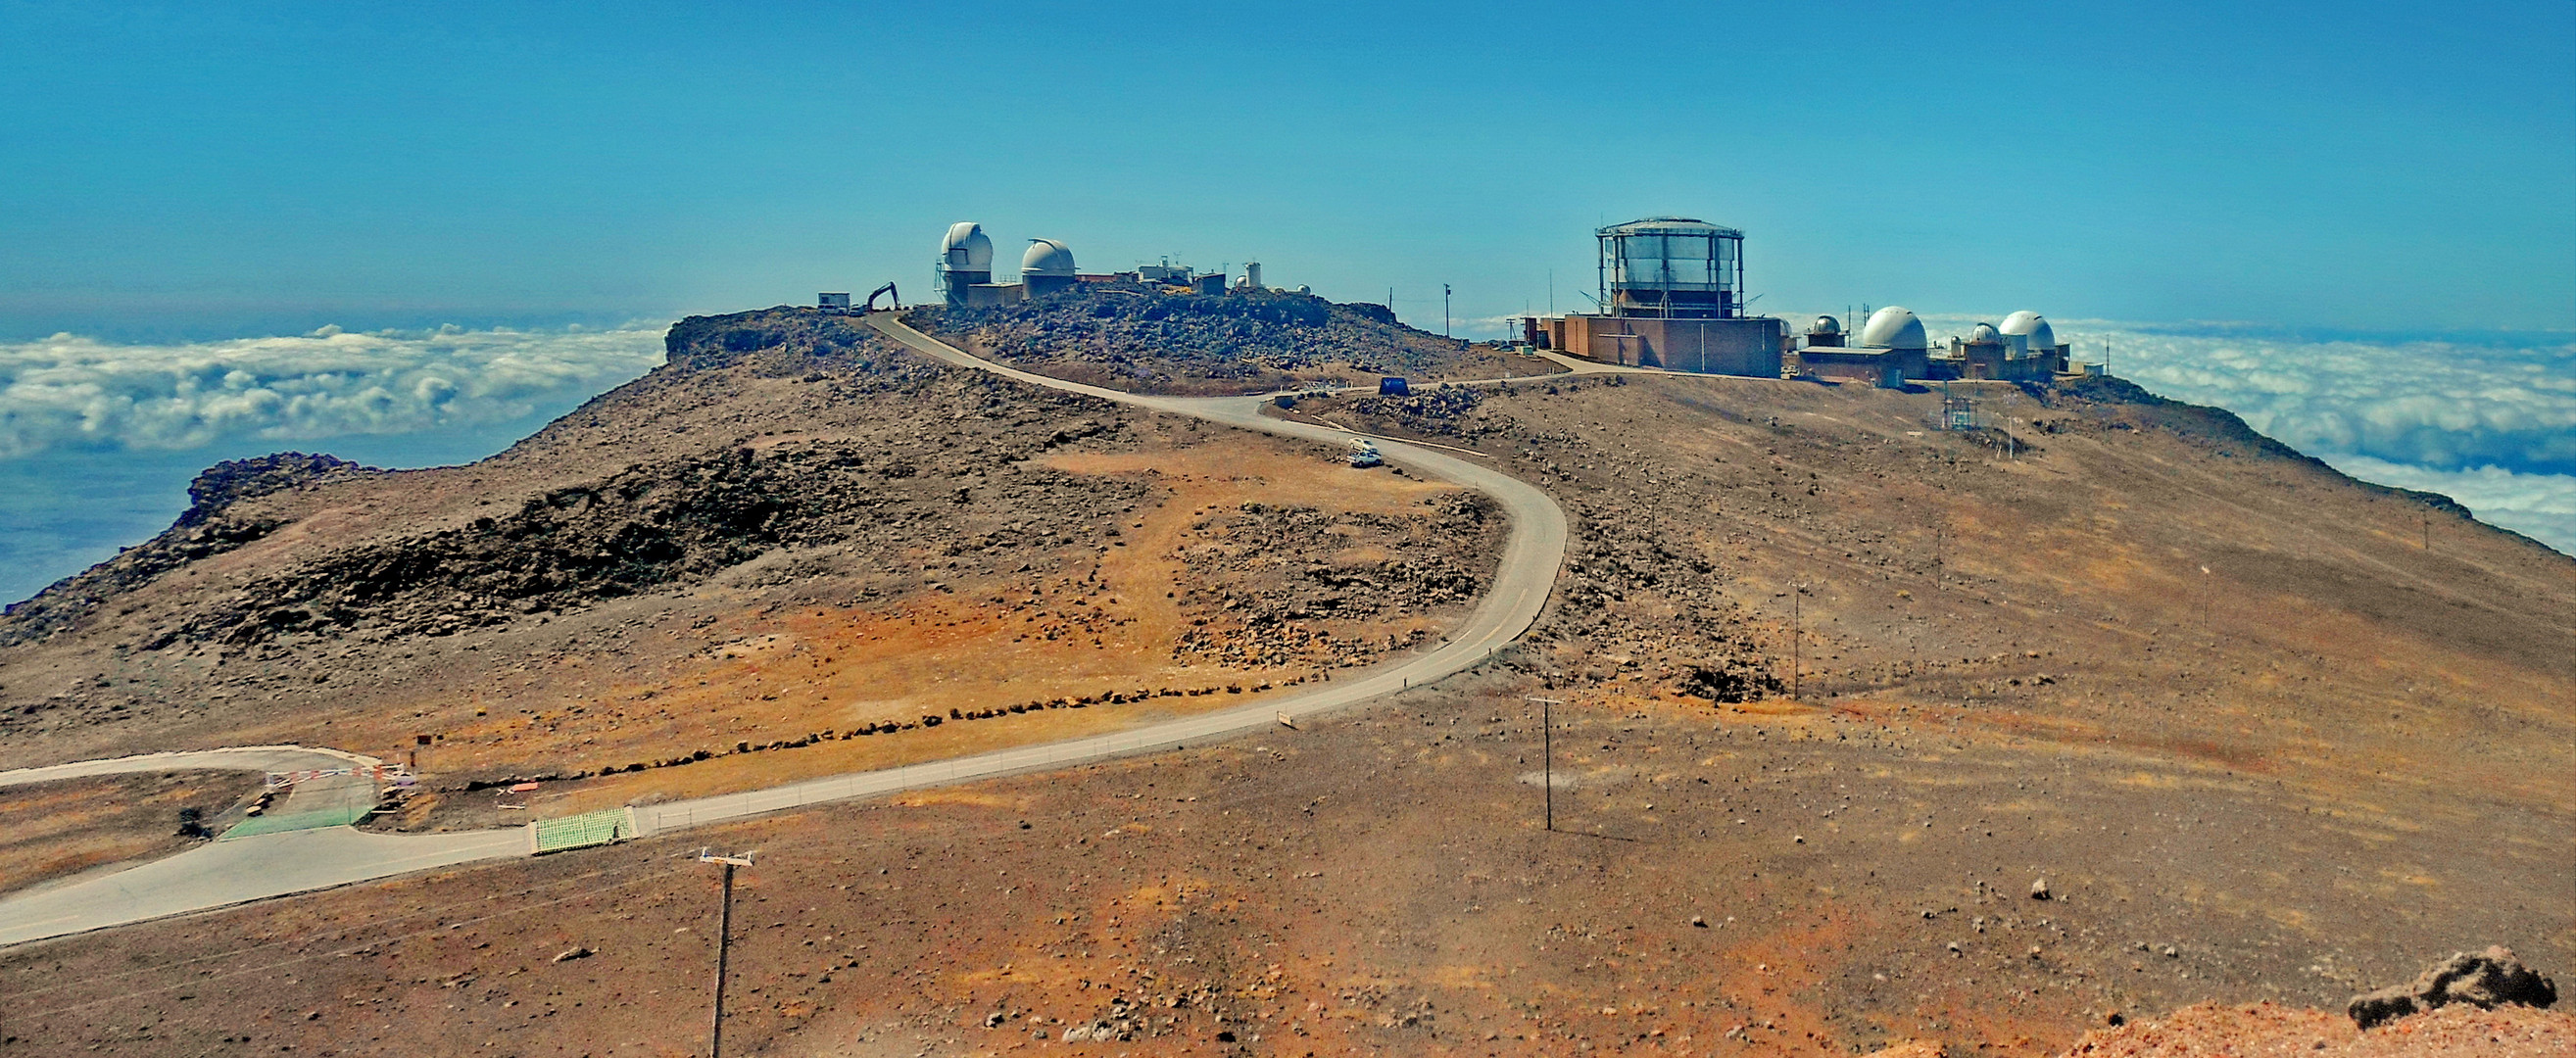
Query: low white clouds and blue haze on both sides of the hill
pixel 102 439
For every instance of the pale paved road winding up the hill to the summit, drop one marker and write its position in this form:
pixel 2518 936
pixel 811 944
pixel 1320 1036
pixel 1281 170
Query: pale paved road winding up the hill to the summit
pixel 267 866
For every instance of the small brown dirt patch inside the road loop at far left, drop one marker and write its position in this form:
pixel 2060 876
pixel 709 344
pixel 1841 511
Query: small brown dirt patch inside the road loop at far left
pixel 55 830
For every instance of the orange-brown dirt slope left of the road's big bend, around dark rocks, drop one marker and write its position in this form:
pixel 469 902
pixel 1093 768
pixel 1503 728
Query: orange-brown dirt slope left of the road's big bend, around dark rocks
pixel 1075 599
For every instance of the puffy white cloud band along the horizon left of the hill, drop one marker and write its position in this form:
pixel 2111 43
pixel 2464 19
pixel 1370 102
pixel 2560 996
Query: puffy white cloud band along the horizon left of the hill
pixel 73 390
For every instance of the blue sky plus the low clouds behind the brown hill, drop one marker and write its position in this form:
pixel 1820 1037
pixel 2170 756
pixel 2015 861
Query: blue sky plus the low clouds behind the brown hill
pixel 406 233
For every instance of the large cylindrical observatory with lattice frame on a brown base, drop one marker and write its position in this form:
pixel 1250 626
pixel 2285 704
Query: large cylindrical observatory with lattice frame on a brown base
pixel 1671 297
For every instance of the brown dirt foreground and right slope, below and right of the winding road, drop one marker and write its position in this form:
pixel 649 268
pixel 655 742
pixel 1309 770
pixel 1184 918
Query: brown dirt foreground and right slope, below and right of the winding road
pixel 2297 776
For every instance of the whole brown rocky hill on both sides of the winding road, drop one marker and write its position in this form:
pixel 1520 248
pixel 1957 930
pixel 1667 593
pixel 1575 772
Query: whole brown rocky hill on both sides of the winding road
pixel 1866 732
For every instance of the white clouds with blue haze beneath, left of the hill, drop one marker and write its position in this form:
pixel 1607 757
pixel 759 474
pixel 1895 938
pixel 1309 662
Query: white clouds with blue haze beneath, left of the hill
pixel 99 441
